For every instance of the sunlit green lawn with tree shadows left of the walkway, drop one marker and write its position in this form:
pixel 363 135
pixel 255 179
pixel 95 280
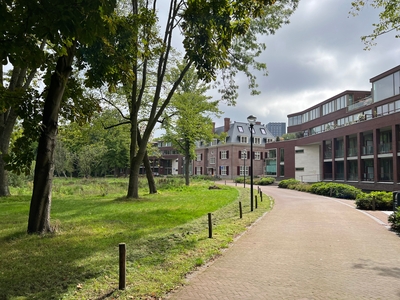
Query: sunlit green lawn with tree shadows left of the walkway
pixel 166 237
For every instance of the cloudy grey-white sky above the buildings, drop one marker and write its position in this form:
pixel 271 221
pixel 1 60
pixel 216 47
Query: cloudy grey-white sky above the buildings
pixel 317 56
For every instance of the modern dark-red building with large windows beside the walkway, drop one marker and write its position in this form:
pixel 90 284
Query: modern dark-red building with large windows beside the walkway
pixel 352 137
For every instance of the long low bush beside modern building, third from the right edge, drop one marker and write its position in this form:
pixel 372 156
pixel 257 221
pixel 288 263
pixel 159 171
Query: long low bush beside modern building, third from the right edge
pixel 336 190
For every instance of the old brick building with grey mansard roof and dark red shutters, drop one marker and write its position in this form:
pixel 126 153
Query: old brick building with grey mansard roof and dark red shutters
pixel 230 158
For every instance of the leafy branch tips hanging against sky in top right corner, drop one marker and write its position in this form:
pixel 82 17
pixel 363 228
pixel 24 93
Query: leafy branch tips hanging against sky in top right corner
pixel 389 18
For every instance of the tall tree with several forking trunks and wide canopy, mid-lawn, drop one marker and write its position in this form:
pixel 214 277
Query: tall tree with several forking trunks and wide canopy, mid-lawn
pixel 217 36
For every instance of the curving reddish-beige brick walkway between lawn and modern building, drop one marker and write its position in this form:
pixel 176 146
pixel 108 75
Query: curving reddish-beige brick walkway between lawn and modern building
pixel 307 247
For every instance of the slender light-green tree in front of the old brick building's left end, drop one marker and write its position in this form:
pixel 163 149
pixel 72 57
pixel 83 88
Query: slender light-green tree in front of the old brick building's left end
pixel 190 120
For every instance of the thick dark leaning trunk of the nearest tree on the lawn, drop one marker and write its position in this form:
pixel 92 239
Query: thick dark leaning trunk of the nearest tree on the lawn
pixel 39 214
